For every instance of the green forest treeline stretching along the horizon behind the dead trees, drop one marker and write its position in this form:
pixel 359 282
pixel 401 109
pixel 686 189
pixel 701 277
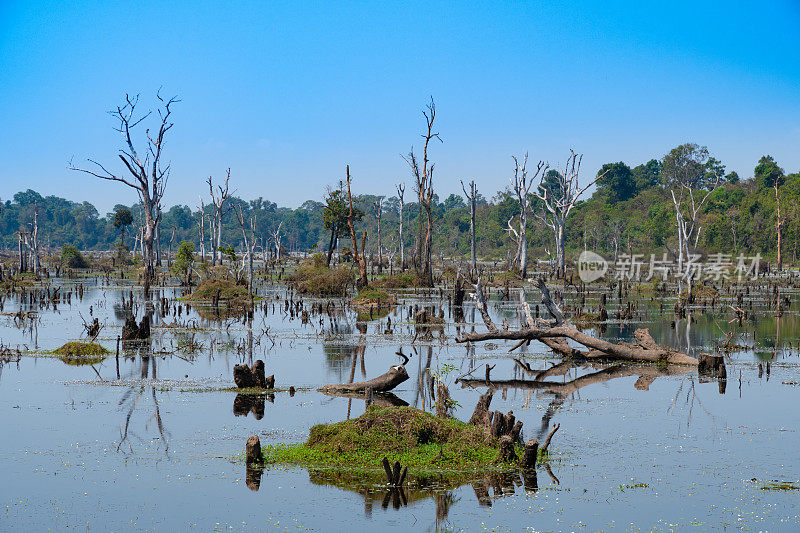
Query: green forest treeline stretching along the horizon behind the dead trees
pixel 630 210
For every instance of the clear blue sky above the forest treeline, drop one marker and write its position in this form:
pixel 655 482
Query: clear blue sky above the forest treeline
pixel 286 94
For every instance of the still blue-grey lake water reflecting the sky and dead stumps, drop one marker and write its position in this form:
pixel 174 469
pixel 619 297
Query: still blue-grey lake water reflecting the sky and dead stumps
pixel 161 448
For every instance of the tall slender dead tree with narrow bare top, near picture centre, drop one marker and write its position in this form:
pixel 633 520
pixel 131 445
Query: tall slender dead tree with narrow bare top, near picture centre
pixel 423 174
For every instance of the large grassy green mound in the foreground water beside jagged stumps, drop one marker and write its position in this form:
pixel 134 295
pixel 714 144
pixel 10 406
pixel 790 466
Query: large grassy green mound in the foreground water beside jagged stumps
pixel 417 439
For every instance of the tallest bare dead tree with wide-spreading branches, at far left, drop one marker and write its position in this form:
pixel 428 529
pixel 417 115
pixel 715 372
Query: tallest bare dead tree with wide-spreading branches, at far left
pixel 148 176
